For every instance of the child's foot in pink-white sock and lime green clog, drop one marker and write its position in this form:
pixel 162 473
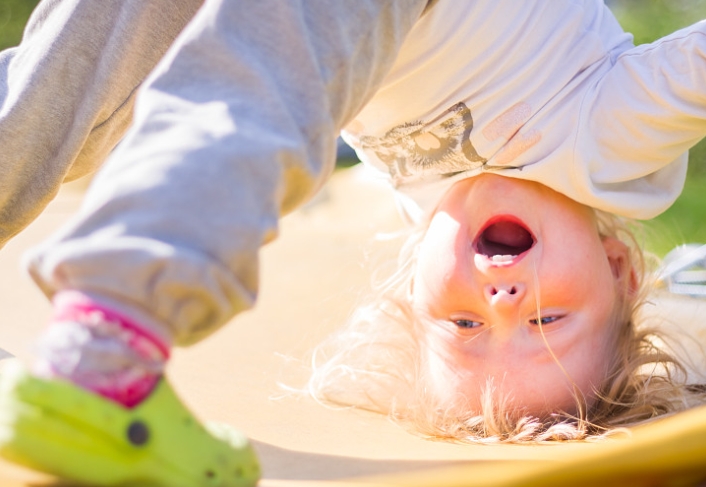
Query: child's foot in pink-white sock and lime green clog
pixel 112 422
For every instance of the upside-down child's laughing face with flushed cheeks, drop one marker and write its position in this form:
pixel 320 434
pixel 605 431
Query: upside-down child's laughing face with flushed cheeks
pixel 499 255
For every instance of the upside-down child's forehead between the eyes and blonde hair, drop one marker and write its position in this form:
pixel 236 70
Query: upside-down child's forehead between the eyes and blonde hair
pixel 528 378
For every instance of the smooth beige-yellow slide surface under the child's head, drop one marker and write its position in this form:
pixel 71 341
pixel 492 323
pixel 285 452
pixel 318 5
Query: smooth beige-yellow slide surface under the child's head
pixel 311 276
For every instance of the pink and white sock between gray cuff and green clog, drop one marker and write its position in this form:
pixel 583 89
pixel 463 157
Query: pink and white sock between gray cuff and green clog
pixel 101 350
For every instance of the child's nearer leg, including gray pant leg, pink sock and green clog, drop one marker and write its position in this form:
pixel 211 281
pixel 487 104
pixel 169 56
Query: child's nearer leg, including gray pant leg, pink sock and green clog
pixel 236 126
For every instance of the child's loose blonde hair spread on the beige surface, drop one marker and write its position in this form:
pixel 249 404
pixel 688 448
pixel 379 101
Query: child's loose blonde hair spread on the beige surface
pixel 373 363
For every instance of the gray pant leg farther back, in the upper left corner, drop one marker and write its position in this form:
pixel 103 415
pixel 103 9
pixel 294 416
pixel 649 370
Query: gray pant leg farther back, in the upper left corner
pixel 67 92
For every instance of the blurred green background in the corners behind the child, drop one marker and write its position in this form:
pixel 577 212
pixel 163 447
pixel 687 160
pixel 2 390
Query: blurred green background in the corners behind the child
pixel 646 19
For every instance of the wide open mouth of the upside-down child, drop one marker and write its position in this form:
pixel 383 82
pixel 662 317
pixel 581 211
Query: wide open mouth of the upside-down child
pixel 503 240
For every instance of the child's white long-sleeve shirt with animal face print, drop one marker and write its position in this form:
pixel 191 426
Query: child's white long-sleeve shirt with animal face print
pixel 550 91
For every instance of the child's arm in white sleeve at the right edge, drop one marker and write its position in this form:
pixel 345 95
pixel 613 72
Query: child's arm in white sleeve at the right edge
pixel 644 114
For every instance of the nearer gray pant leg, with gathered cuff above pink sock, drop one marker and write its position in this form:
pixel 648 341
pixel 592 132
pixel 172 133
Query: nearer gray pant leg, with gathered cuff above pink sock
pixel 236 126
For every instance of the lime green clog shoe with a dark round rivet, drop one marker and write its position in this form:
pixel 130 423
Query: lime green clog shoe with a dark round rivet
pixel 56 427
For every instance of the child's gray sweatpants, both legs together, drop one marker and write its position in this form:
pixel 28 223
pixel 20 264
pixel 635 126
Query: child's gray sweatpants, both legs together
pixel 234 127
